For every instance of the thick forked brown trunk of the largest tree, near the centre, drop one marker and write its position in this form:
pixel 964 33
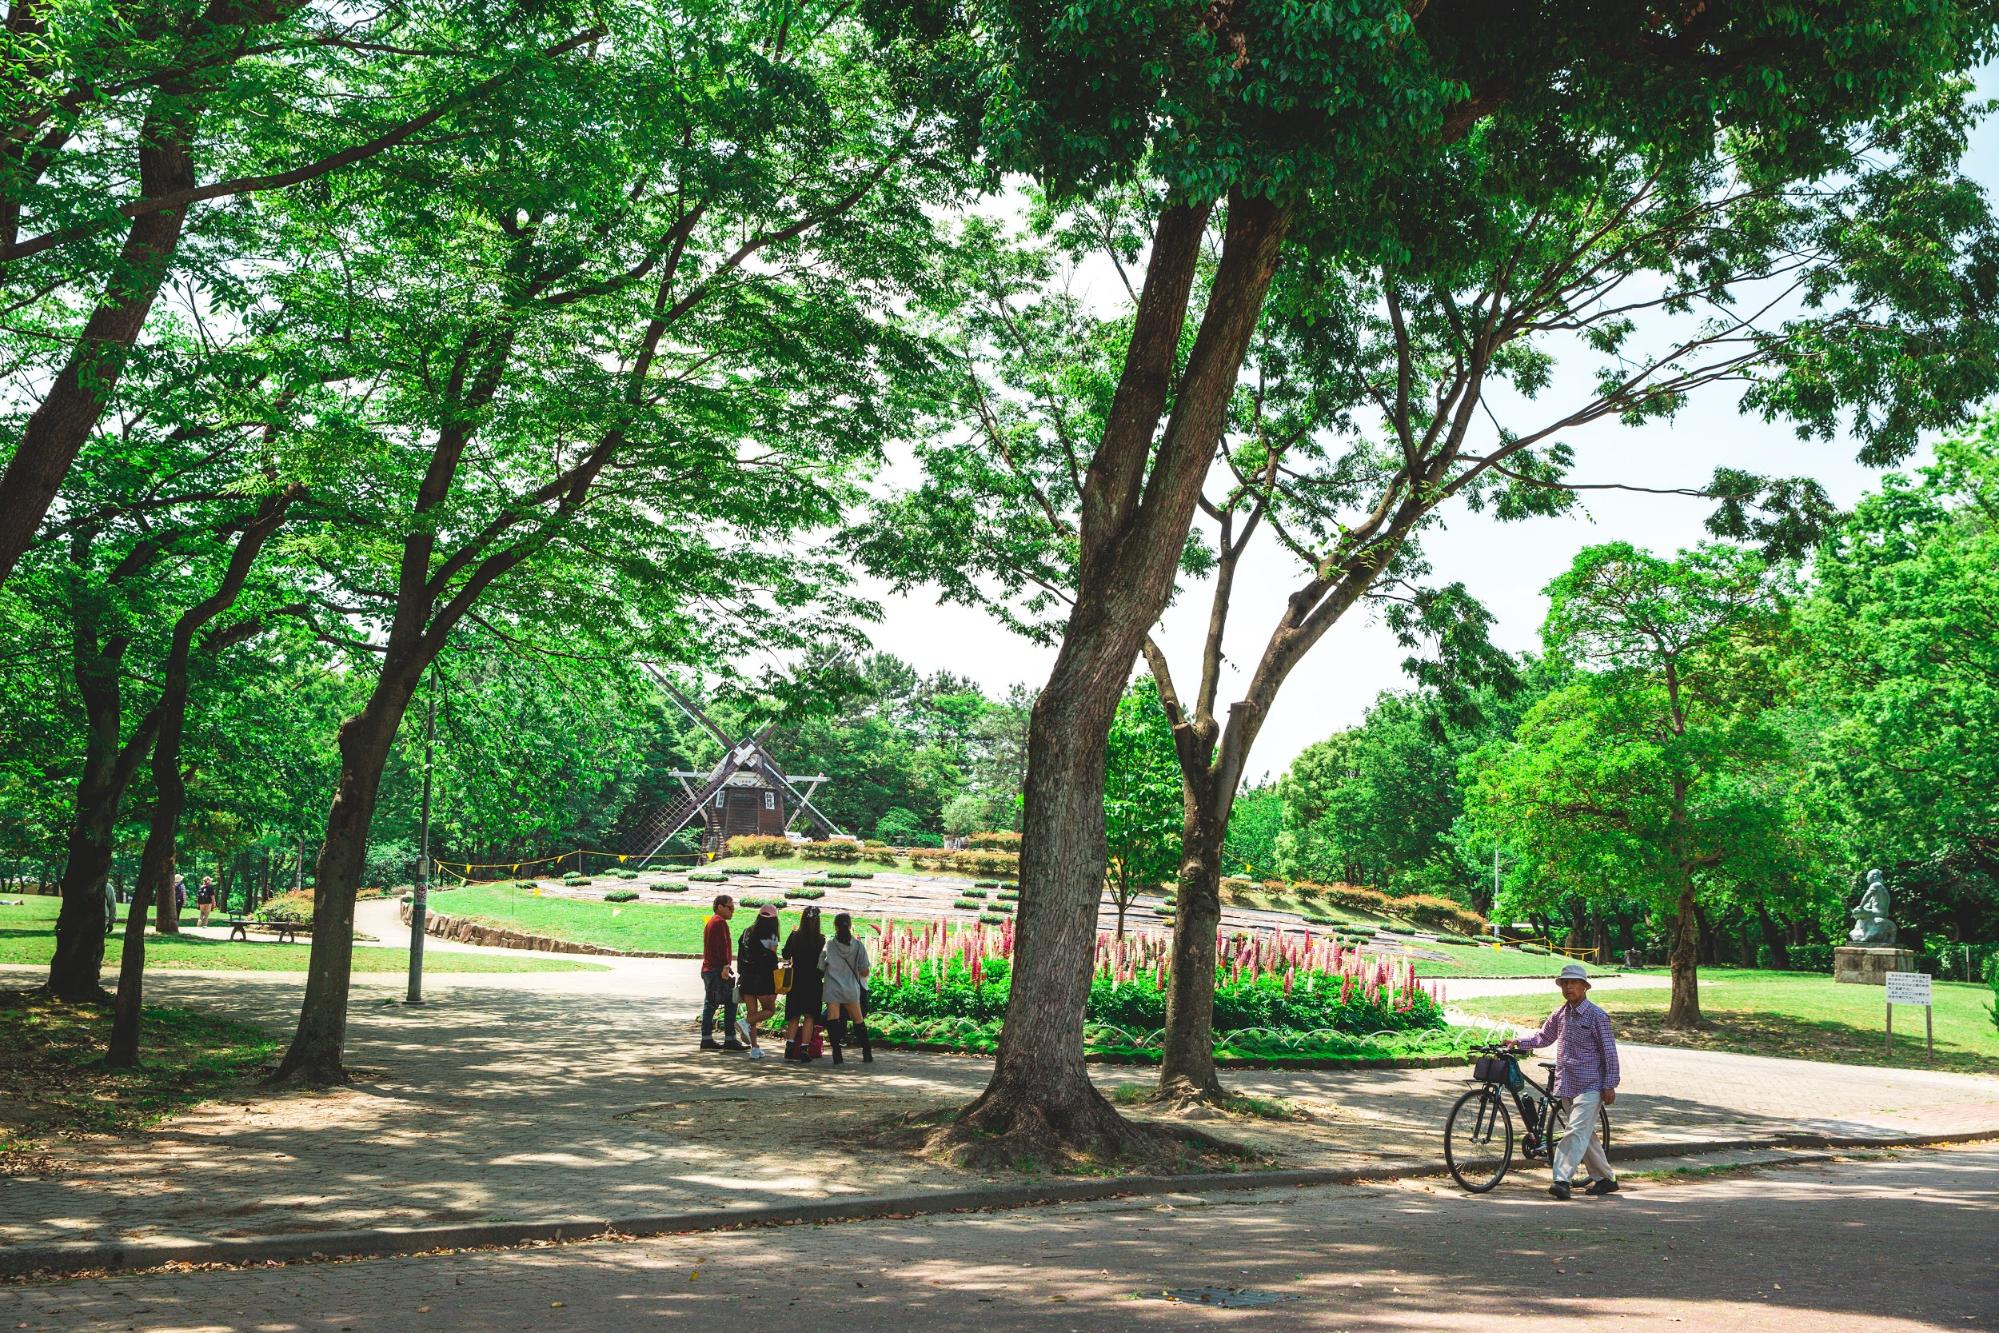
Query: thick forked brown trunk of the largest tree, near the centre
pixel 1136 511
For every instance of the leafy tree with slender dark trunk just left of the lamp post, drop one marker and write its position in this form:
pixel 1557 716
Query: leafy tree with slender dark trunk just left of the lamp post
pixel 645 327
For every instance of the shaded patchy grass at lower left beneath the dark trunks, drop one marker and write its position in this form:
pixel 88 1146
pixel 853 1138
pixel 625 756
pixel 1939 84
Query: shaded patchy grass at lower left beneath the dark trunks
pixel 55 1076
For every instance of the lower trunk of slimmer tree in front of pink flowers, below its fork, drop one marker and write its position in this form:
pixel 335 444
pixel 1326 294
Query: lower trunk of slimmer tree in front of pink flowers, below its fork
pixel 1188 1064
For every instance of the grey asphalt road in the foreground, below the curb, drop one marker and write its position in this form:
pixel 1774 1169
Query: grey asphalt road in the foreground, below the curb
pixel 1884 1246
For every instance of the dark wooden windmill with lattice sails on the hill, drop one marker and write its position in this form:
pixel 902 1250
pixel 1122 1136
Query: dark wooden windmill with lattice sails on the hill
pixel 745 794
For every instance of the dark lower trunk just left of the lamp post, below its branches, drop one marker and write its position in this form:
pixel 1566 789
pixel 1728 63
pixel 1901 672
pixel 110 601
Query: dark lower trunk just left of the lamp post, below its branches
pixel 319 1046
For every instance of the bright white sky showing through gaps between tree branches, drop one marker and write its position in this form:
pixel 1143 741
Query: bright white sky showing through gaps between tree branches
pixel 1504 565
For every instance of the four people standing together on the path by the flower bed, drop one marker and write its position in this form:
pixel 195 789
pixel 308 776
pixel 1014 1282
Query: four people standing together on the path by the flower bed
pixel 823 980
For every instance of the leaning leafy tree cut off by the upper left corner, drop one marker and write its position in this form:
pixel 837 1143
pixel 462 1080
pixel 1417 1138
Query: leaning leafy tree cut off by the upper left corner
pixel 115 115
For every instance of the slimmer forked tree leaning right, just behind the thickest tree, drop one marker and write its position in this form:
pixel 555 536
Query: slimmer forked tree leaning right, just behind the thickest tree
pixel 1372 385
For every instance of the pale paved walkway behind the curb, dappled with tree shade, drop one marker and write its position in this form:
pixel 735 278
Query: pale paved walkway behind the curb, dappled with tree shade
pixel 545 1096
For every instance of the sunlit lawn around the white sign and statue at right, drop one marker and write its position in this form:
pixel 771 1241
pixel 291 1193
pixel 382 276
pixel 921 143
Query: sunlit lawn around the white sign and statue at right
pixel 1796 1016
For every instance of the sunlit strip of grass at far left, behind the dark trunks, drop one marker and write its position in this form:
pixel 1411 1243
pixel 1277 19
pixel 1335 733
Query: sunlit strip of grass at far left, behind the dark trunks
pixel 27 936
